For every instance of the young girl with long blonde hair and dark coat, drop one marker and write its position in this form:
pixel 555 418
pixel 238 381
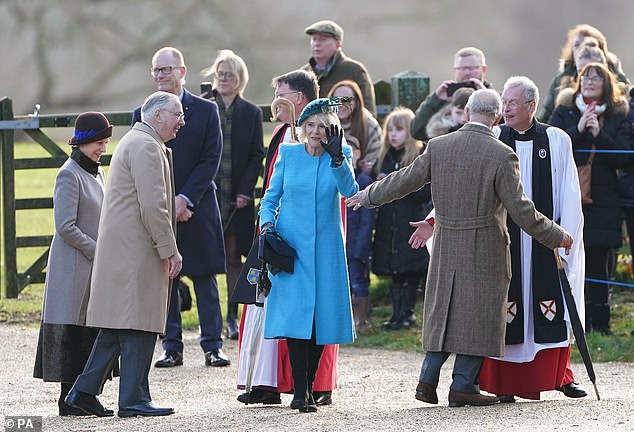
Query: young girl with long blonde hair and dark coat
pixel 391 252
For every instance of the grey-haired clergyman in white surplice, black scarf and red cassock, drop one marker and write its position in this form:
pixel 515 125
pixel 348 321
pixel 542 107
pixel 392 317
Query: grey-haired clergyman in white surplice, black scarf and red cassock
pixel 538 329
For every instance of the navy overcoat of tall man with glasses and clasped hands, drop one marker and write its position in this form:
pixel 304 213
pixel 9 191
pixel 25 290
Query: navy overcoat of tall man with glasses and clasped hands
pixel 196 153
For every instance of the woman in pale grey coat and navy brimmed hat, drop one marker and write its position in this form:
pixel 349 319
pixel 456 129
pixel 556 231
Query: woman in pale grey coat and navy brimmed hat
pixel 64 343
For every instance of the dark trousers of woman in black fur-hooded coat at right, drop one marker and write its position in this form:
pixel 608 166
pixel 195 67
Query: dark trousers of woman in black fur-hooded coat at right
pixel 597 294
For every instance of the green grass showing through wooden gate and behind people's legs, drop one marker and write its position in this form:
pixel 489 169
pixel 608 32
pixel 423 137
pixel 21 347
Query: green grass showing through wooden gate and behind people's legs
pixel 26 309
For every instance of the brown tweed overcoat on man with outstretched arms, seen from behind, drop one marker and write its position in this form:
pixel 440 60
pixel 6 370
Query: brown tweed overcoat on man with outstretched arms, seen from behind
pixel 476 179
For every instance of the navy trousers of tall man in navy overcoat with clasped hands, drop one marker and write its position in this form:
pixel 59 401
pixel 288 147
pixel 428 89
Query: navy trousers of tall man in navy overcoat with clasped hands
pixel 209 316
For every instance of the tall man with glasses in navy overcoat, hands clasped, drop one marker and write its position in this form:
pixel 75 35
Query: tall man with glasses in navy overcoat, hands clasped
pixel 196 151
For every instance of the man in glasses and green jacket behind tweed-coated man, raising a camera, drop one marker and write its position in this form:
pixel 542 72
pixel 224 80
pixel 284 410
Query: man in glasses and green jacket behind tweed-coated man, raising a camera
pixel 469 69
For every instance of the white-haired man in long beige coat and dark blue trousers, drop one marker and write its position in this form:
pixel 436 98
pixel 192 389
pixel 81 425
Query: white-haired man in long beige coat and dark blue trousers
pixel 135 258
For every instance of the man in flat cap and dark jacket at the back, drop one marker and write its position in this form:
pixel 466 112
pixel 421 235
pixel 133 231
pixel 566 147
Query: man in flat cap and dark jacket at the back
pixel 331 65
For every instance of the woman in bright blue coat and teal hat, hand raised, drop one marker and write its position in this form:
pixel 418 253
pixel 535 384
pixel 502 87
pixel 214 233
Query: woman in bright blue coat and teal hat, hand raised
pixel 311 307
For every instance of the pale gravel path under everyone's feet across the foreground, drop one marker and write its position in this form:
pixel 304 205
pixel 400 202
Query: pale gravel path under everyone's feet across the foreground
pixel 376 394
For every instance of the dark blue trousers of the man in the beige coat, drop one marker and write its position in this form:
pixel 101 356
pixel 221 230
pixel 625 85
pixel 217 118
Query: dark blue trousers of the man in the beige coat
pixel 135 348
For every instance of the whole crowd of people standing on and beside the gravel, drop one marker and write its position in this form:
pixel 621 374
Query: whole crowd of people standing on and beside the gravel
pixel 351 197
